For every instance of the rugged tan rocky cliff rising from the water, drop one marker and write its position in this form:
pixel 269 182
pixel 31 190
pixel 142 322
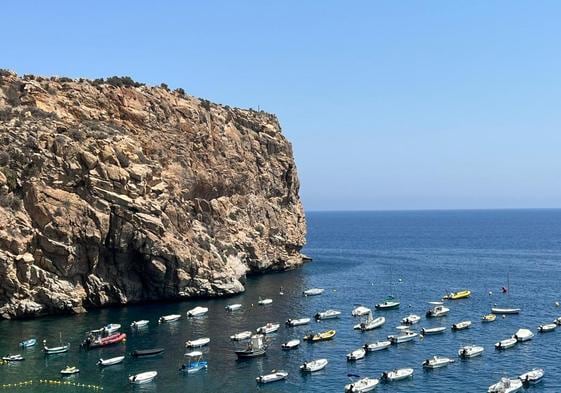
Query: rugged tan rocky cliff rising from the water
pixel 111 195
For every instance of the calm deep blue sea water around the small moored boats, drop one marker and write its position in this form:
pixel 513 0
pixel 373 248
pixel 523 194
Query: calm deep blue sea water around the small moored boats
pixel 359 258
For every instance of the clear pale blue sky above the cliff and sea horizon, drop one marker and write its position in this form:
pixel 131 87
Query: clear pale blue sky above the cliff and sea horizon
pixel 388 104
